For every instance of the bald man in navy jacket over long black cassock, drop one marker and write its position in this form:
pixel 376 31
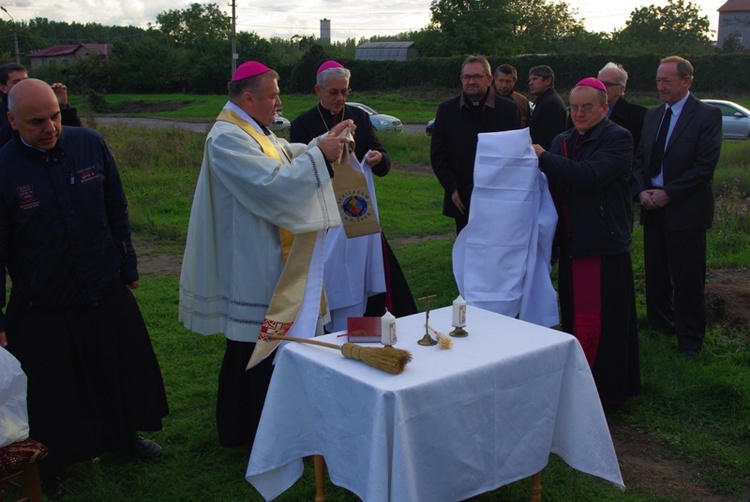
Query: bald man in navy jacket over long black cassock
pixel 71 319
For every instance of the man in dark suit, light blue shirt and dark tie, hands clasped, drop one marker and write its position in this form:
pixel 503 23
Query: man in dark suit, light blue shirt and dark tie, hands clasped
pixel 673 179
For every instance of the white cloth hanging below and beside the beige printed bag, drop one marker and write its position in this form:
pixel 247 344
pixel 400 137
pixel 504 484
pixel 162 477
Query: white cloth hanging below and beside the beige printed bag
pixel 353 267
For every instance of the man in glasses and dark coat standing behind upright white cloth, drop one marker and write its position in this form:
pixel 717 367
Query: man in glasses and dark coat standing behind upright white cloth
pixel 454 139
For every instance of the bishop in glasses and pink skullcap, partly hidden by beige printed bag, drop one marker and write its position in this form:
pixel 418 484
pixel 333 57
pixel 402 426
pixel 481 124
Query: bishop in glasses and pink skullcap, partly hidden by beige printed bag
pixel 390 290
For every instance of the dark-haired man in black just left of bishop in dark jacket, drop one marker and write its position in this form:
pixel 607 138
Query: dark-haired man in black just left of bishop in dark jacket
pixel 549 116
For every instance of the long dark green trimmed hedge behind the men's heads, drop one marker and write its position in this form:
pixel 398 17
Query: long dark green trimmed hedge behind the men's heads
pixel 713 73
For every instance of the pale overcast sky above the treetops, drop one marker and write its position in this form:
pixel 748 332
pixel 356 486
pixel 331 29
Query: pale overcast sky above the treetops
pixel 286 18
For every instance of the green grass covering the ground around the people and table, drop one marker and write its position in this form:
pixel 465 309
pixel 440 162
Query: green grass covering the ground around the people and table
pixel 700 411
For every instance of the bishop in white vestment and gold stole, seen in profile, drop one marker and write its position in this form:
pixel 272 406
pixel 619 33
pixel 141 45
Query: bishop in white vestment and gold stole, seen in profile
pixel 253 257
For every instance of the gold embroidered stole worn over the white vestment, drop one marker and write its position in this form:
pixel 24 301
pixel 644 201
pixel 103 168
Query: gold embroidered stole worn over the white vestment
pixel 297 252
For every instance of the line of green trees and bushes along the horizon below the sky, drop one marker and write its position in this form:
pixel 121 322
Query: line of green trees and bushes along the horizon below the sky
pixel 188 50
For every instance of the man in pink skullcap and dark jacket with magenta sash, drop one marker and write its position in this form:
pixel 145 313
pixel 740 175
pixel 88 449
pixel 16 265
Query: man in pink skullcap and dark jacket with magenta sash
pixel 591 166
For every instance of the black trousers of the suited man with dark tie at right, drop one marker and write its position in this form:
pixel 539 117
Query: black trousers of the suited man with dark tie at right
pixel 675 263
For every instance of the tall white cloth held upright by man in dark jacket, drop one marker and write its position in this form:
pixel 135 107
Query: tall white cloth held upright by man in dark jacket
pixel 501 259
